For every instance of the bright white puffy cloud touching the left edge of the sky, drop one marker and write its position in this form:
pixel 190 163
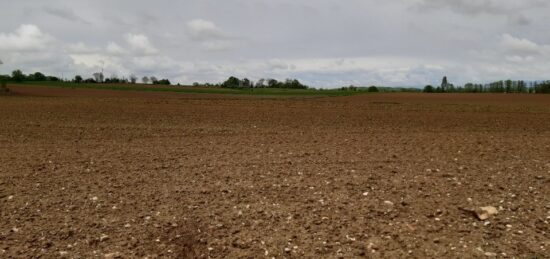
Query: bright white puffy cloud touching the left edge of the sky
pixel 27 37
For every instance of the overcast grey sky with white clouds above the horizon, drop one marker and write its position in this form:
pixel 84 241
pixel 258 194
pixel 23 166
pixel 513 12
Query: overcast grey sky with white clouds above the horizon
pixel 323 43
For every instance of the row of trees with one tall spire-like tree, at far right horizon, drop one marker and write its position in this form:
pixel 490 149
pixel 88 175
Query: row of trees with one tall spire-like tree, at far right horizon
pixel 503 86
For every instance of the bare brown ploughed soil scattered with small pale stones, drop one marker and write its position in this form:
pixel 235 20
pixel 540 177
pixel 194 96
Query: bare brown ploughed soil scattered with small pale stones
pixel 91 173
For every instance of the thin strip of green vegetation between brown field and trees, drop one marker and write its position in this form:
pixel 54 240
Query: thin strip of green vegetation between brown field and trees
pixel 195 89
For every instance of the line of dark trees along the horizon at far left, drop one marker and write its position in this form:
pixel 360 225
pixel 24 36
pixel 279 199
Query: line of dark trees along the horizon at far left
pixel 19 76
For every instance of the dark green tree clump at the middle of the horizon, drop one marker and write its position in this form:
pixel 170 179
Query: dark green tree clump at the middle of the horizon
pixel 234 82
